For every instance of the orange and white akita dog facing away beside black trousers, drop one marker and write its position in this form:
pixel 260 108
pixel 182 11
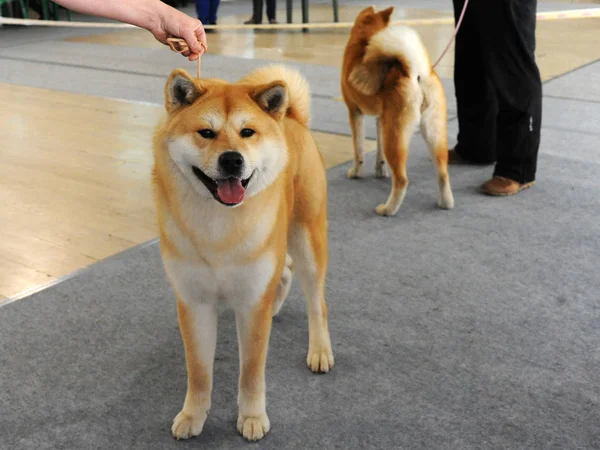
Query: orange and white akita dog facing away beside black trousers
pixel 387 73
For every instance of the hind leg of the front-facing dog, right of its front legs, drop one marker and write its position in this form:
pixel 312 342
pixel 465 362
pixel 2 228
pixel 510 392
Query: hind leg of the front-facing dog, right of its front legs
pixel 308 245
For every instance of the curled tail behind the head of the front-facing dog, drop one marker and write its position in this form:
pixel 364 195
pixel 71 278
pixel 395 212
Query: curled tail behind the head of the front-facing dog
pixel 297 88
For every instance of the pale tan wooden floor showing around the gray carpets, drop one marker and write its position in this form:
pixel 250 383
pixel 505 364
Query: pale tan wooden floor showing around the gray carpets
pixel 74 184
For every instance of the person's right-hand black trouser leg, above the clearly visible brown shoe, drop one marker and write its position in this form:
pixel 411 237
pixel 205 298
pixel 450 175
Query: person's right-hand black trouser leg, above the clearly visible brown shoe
pixel 510 46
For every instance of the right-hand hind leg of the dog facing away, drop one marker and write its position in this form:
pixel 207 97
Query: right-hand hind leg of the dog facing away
pixel 434 128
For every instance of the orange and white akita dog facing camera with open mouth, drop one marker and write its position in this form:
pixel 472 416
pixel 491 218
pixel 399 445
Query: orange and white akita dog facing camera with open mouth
pixel 239 182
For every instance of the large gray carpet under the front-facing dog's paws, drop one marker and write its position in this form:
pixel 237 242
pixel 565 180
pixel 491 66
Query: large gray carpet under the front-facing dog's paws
pixel 476 328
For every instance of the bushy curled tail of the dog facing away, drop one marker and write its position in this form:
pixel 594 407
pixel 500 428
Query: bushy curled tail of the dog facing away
pixel 392 53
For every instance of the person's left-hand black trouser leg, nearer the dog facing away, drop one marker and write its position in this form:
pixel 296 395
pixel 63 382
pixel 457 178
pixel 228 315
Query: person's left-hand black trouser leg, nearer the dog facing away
pixel 475 95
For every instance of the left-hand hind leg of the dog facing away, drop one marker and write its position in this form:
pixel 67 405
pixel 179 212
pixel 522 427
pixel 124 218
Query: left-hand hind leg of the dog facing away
pixel 398 124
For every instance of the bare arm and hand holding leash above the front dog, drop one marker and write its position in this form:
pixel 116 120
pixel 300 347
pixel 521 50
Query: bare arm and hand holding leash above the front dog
pixel 158 18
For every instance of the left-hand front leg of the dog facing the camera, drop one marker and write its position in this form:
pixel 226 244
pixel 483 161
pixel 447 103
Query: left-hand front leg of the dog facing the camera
pixel 198 326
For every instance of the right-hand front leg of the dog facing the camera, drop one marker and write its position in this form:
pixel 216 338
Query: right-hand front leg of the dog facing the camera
pixel 254 329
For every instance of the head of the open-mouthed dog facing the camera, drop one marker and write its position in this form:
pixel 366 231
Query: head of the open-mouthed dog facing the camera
pixel 226 139
